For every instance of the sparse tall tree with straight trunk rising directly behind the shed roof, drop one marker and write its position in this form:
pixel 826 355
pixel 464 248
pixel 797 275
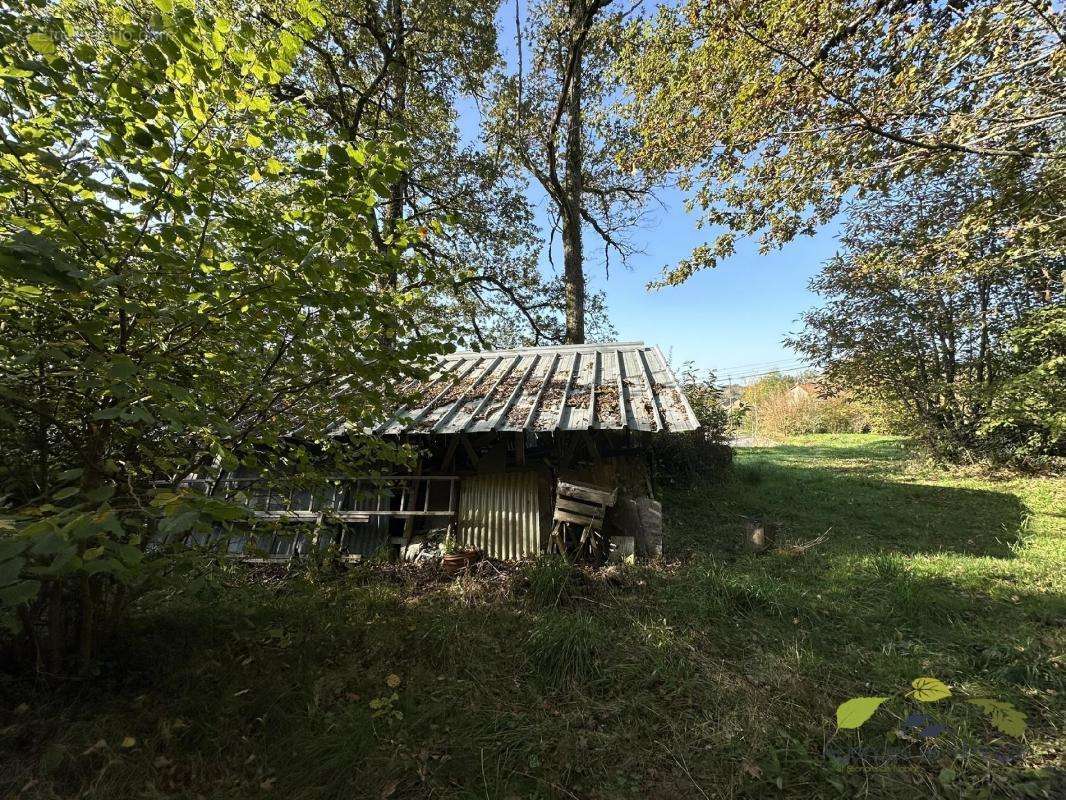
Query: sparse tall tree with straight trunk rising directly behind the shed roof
pixel 556 123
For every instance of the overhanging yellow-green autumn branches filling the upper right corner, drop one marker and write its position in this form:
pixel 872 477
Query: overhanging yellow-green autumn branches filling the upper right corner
pixel 777 113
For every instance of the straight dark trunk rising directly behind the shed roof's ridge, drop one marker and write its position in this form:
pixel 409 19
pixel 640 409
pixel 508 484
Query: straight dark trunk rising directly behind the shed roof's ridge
pixel 574 276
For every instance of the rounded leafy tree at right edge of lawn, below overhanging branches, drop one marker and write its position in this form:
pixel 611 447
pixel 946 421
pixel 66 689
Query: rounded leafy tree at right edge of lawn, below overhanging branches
pixel 922 307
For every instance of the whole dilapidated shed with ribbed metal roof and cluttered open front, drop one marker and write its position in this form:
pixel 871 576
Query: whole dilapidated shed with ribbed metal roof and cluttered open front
pixel 497 433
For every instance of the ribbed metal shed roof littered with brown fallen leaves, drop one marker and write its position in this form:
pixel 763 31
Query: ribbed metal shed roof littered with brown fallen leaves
pixel 573 388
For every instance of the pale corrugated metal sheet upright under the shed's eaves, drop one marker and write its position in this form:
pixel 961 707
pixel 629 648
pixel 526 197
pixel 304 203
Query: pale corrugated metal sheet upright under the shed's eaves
pixel 500 515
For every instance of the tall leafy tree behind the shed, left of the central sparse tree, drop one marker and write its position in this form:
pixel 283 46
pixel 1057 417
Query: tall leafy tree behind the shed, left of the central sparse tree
pixel 377 68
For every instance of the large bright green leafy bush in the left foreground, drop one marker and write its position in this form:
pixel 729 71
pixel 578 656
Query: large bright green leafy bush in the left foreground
pixel 190 271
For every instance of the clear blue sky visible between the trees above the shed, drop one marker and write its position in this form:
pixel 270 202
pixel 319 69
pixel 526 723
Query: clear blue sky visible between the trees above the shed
pixel 731 319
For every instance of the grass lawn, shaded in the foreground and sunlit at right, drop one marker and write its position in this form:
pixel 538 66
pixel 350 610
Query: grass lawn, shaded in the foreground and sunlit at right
pixel 715 675
